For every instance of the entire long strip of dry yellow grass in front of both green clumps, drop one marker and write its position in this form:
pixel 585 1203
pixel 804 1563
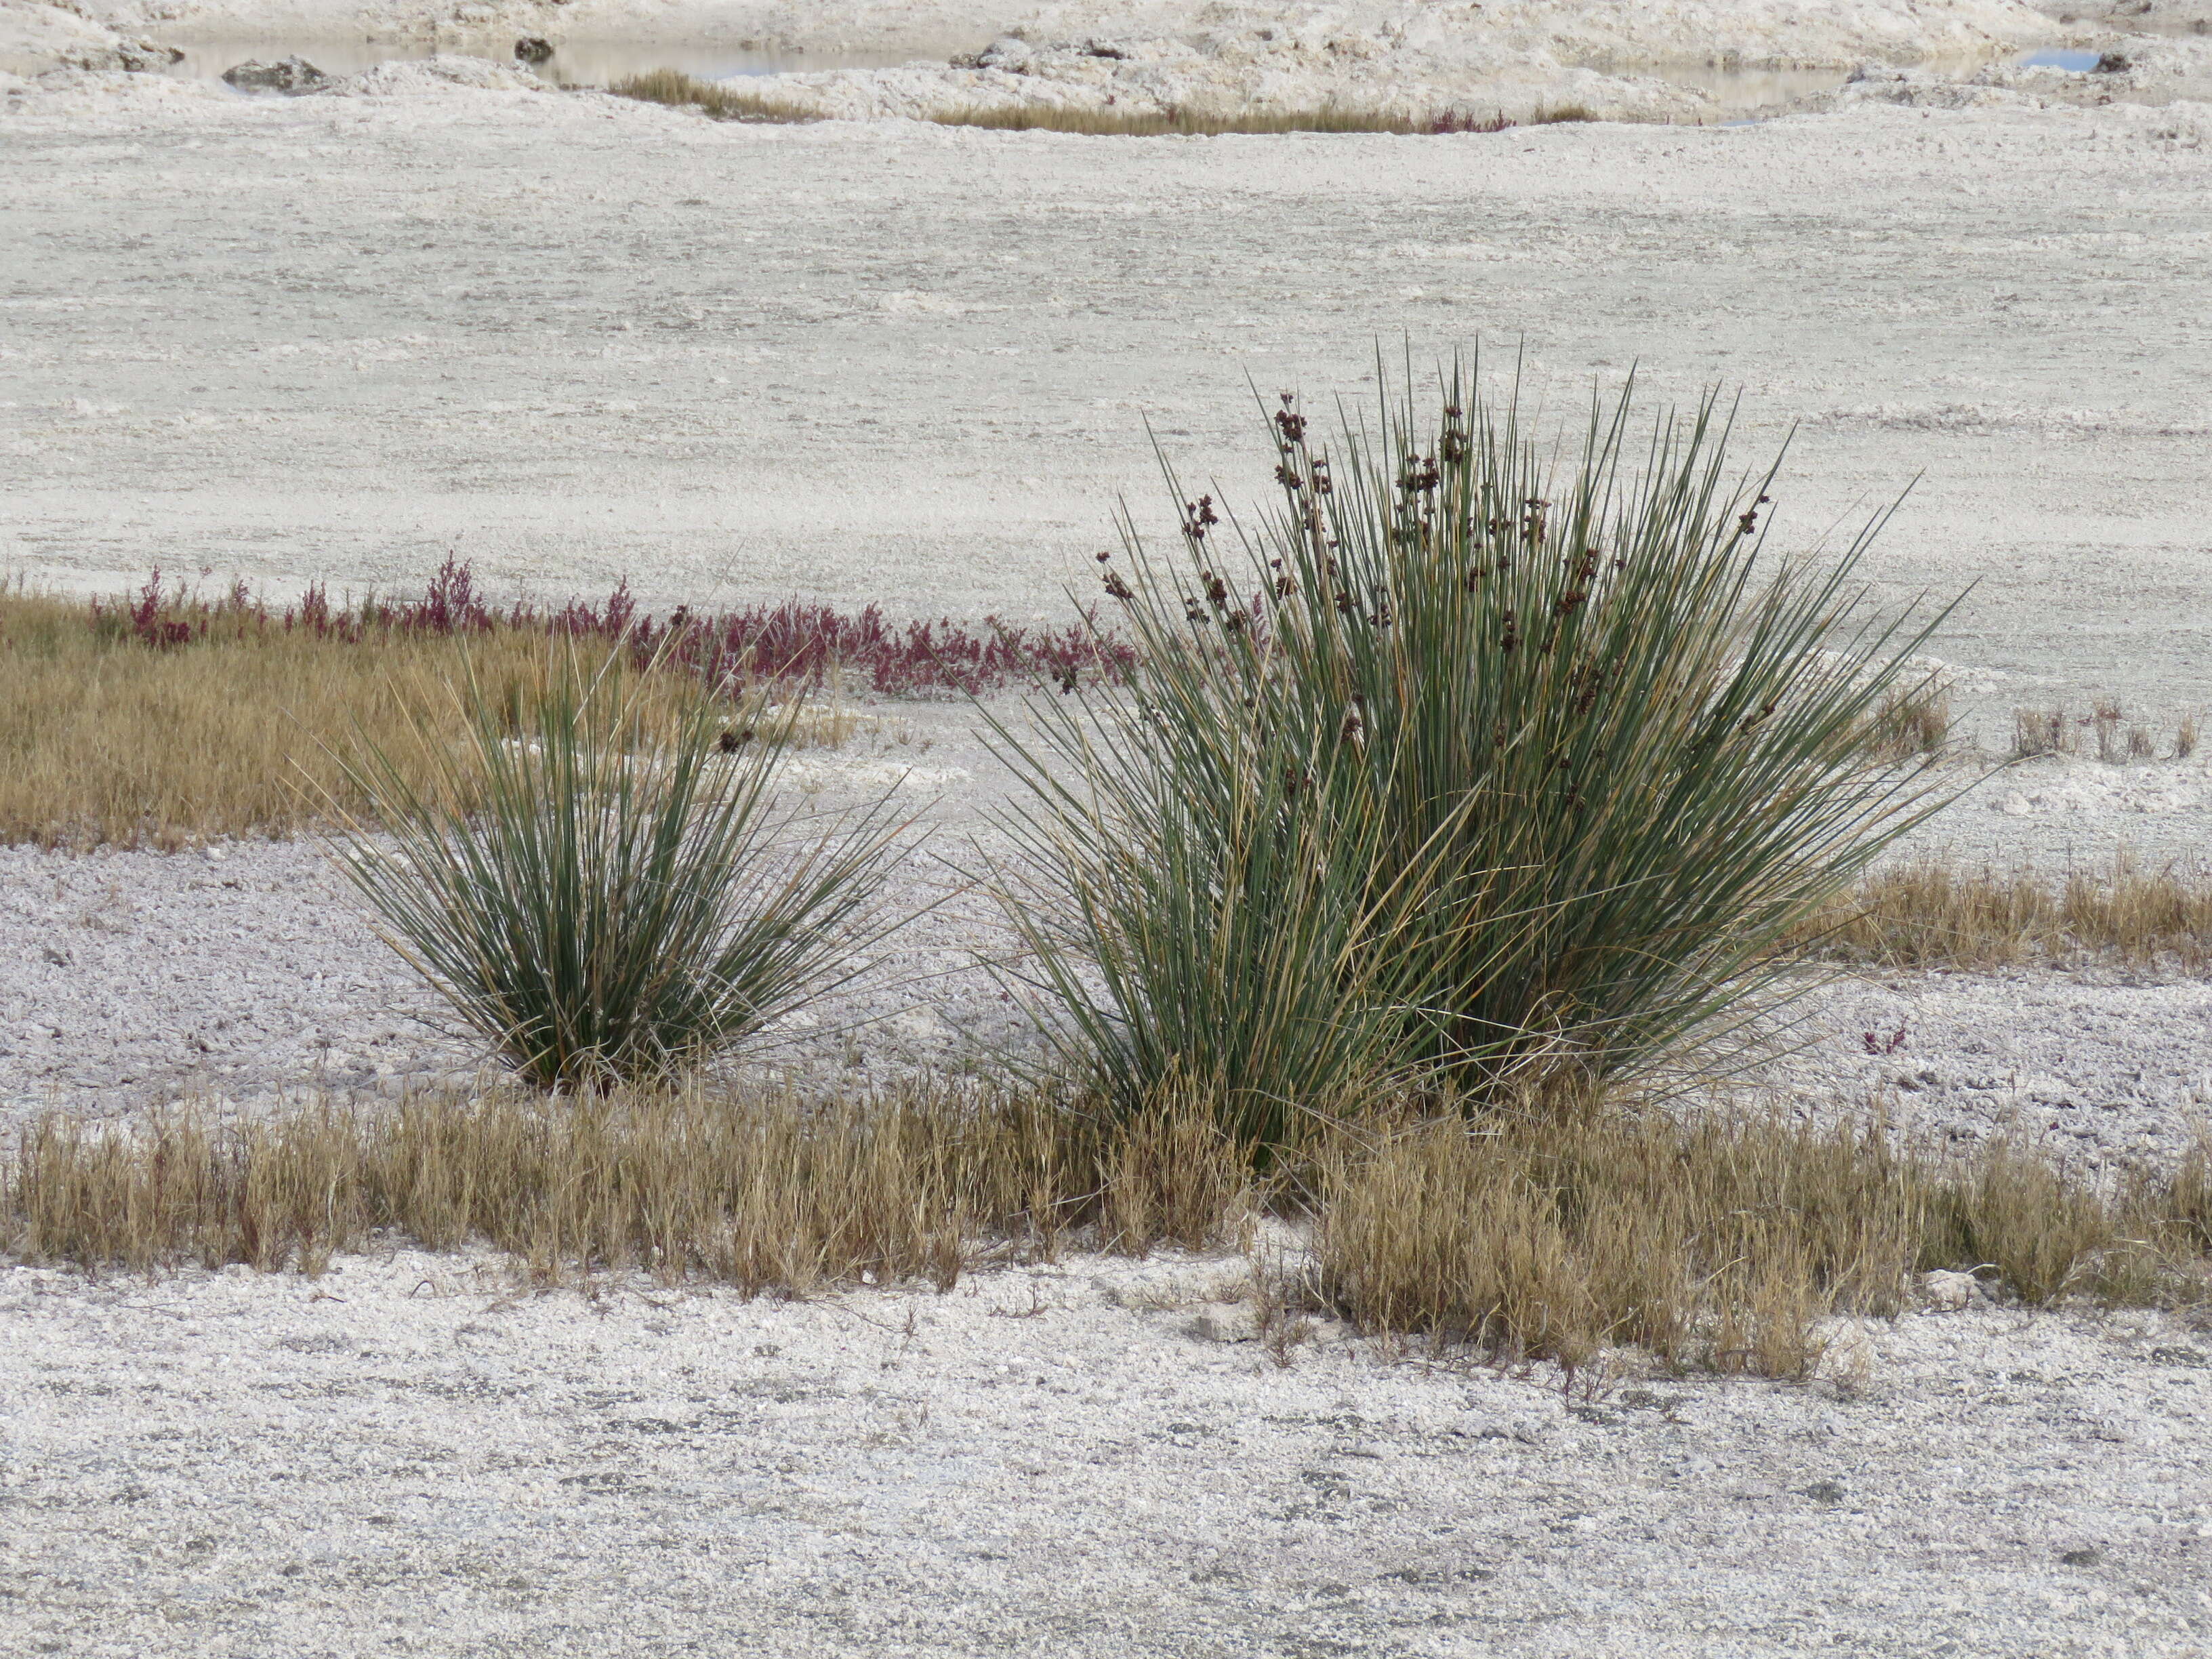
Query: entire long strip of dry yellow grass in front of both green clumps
pixel 1715 1242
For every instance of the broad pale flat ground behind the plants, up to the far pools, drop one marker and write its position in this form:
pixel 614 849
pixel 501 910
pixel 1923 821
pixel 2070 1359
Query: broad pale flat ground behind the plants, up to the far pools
pixel 578 337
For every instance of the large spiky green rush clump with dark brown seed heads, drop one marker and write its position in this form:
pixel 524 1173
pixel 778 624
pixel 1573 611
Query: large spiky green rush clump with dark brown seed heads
pixel 1463 760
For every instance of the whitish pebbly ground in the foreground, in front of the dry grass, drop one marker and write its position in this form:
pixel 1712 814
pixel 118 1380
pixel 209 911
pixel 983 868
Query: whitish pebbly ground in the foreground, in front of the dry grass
pixel 413 1457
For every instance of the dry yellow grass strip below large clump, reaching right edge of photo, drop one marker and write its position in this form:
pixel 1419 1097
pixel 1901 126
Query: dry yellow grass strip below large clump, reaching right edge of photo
pixel 1722 1242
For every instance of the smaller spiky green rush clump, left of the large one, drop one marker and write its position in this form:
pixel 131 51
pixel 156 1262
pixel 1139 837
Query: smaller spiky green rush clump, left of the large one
pixel 601 888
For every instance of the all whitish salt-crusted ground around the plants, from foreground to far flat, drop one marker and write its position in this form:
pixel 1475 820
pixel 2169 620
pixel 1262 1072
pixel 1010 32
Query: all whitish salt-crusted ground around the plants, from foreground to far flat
pixel 581 340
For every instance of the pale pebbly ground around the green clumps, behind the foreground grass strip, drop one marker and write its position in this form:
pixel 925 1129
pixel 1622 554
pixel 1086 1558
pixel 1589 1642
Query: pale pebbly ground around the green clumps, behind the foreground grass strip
pixel 247 974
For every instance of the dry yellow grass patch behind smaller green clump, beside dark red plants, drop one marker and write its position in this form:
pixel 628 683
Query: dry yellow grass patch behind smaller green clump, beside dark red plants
pixel 109 740
